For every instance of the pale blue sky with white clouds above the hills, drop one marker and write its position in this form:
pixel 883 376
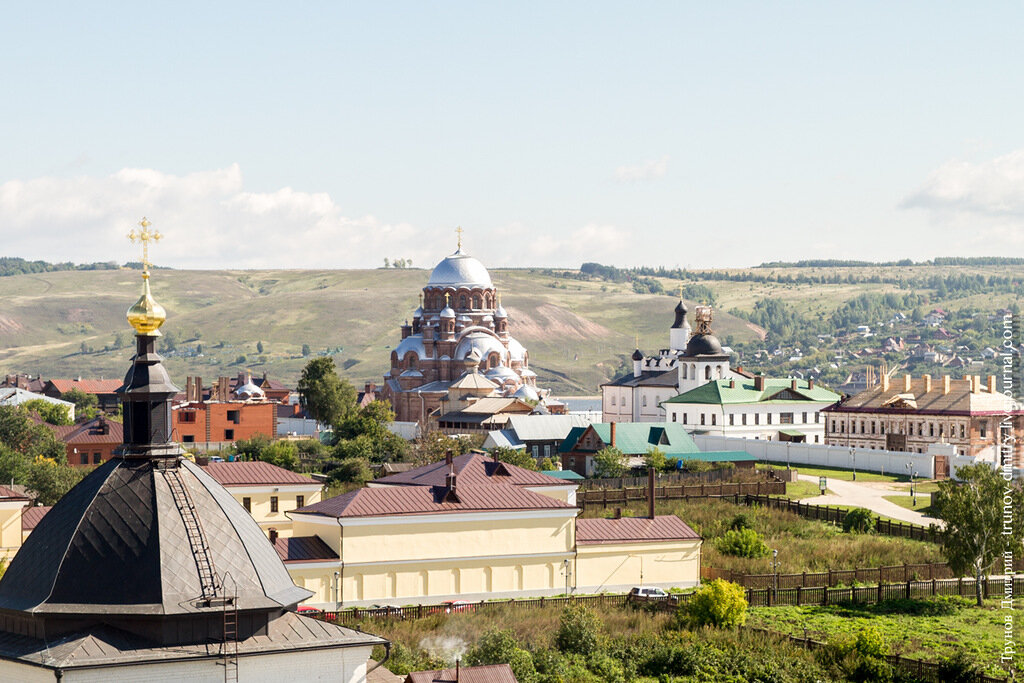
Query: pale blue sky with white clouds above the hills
pixel 337 135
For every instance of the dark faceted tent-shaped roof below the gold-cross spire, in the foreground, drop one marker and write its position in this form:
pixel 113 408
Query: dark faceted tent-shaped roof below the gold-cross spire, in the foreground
pixel 123 519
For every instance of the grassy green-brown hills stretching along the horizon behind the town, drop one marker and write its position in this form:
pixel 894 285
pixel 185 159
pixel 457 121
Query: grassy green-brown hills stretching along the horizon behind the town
pixel 580 332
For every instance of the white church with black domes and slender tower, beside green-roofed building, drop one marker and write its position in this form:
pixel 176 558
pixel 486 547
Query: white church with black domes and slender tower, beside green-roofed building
pixel 691 361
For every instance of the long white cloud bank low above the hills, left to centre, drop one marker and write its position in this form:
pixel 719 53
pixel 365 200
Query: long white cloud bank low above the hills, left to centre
pixel 210 221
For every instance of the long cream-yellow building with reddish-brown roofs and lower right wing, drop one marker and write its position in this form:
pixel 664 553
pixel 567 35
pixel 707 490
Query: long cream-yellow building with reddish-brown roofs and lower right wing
pixel 488 531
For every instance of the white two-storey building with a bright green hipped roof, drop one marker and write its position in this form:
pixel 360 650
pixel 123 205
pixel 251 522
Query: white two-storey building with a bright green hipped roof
pixel 767 409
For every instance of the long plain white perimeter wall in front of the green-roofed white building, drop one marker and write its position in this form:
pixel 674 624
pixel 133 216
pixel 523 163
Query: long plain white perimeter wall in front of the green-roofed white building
pixel 820 455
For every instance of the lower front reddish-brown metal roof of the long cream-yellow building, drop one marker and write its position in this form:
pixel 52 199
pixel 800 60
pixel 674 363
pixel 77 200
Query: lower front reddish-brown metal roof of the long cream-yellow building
pixel 433 500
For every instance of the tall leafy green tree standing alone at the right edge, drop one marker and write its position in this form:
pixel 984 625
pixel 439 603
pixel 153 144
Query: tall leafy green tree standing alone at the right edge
pixel 977 533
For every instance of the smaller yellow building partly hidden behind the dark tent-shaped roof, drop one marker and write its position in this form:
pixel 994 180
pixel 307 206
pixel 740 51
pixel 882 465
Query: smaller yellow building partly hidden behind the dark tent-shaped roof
pixel 268 492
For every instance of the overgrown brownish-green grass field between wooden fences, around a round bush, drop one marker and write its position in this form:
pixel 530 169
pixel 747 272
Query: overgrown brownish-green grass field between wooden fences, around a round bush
pixel 804 545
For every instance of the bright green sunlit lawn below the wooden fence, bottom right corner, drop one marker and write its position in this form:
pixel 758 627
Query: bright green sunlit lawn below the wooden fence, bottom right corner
pixel 921 629
